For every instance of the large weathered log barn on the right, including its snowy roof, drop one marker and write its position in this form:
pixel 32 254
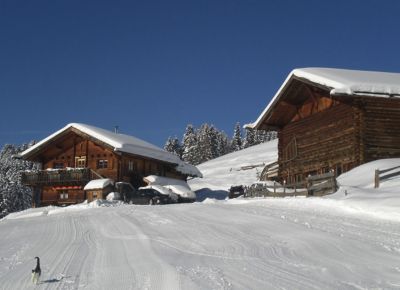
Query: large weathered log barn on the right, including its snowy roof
pixel 333 120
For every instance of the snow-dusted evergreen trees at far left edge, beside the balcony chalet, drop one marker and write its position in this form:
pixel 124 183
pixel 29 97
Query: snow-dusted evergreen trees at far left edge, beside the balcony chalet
pixel 13 195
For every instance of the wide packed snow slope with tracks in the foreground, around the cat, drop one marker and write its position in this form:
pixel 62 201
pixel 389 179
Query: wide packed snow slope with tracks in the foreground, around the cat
pixel 266 244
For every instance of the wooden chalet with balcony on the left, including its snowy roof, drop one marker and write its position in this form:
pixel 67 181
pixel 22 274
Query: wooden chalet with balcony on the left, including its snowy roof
pixel 79 153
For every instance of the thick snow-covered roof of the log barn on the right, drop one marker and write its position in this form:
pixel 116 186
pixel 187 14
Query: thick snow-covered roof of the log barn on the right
pixel 341 82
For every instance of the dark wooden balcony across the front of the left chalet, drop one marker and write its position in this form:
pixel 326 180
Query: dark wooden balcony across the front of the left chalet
pixel 69 176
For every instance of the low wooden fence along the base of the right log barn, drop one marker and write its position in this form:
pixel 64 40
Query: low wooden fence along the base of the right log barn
pixel 316 185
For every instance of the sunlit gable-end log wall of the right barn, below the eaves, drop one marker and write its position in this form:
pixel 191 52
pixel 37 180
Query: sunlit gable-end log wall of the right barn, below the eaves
pixel 328 140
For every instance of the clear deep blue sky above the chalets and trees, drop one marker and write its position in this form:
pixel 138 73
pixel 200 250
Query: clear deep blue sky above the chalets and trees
pixel 152 67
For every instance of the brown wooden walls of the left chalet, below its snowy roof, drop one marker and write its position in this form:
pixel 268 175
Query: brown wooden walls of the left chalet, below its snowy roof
pixel 72 158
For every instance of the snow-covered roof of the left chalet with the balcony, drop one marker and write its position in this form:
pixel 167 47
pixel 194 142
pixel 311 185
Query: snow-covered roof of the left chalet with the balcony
pixel 123 143
